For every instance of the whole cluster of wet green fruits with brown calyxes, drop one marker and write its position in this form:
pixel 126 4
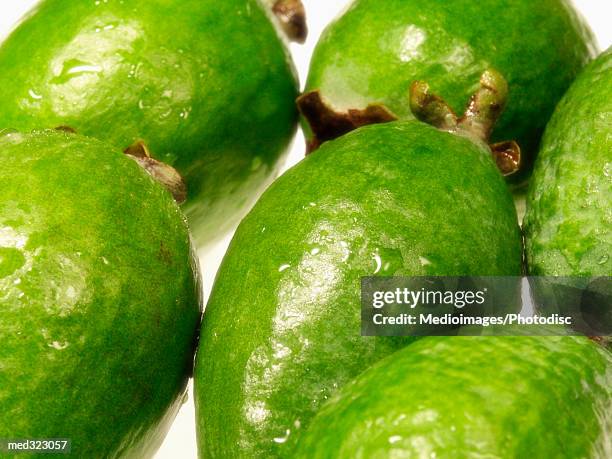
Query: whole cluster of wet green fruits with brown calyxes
pixel 100 291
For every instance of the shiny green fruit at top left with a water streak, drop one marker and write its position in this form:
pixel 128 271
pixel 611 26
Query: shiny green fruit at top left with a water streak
pixel 207 85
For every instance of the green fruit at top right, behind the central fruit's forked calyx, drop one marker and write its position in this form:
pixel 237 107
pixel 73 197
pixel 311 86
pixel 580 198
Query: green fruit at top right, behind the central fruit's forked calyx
pixel 372 55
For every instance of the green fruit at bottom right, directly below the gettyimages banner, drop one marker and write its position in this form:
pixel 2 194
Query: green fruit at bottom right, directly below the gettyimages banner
pixel 473 397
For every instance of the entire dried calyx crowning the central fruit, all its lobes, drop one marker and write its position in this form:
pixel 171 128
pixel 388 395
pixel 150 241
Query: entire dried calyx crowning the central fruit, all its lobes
pixel 483 110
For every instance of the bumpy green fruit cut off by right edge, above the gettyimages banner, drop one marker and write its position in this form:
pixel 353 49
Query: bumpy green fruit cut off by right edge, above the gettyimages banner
pixel 568 220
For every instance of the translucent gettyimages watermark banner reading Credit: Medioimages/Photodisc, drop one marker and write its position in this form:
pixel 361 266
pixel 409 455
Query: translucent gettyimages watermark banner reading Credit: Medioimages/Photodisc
pixel 449 306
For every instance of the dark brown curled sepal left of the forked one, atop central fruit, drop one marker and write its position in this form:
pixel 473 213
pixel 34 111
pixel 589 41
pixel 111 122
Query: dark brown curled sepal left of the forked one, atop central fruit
pixel 328 124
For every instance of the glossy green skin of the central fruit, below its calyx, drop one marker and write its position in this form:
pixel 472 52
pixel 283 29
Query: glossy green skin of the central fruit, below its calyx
pixel 281 331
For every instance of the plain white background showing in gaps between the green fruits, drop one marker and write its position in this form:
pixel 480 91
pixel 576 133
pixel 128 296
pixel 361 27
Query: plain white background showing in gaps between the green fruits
pixel 180 443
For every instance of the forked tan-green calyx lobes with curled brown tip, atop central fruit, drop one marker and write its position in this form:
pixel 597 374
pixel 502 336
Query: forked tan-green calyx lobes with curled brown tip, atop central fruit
pixel 483 110
